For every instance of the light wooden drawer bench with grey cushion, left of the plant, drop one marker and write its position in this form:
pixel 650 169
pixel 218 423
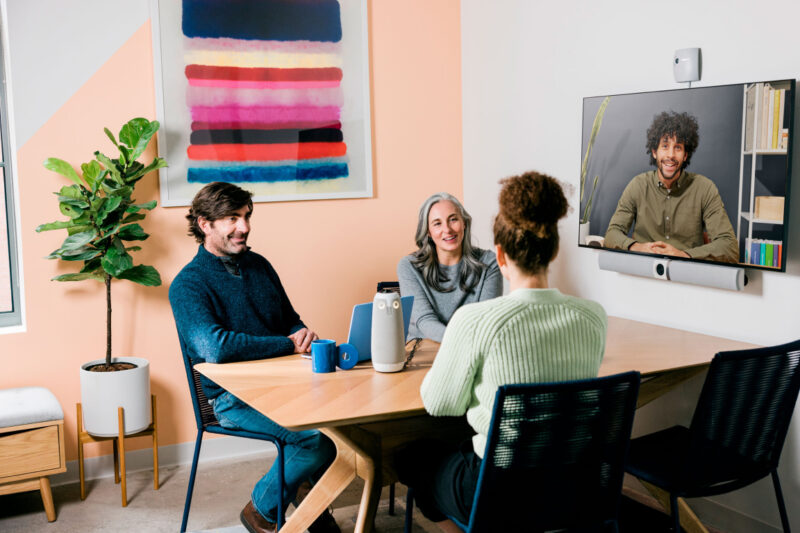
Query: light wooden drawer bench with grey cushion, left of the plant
pixel 31 442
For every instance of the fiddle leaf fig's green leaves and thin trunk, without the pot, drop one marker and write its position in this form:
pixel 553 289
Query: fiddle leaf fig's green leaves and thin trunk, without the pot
pixel 103 216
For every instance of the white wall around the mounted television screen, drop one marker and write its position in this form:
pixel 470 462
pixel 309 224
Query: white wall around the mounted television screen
pixel 527 65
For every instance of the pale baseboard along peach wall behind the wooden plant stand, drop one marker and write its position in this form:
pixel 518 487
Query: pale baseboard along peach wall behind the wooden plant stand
pixel 213 449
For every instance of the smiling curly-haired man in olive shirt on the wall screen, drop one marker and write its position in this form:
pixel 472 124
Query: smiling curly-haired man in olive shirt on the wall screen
pixel 674 212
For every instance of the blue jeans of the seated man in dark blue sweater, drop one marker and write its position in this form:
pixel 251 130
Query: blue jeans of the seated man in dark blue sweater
pixel 307 454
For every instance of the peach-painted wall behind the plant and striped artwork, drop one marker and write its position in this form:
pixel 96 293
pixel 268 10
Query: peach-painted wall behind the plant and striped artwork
pixel 329 253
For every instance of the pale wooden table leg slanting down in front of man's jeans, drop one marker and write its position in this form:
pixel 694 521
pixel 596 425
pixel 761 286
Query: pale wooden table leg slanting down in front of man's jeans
pixel 338 476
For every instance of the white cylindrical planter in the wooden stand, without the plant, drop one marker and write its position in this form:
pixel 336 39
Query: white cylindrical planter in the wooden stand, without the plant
pixel 103 392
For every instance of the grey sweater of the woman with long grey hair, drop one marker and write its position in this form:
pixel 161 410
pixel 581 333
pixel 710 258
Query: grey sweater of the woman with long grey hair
pixel 433 309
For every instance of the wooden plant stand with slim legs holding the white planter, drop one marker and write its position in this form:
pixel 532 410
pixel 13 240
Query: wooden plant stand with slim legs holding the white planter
pixel 118 446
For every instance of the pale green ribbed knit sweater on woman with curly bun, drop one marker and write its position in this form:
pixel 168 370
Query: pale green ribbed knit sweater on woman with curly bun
pixel 529 336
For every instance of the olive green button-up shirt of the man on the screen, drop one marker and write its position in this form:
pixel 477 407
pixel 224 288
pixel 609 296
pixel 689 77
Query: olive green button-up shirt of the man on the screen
pixel 676 216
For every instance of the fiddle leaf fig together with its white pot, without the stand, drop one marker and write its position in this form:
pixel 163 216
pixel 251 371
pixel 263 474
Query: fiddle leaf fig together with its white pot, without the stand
pixel 102 222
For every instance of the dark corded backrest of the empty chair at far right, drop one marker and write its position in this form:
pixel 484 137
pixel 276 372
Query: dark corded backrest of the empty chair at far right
pixel 742 416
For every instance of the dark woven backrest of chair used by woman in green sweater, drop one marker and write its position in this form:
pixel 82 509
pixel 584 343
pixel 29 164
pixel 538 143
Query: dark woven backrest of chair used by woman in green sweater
pixel 555 454
